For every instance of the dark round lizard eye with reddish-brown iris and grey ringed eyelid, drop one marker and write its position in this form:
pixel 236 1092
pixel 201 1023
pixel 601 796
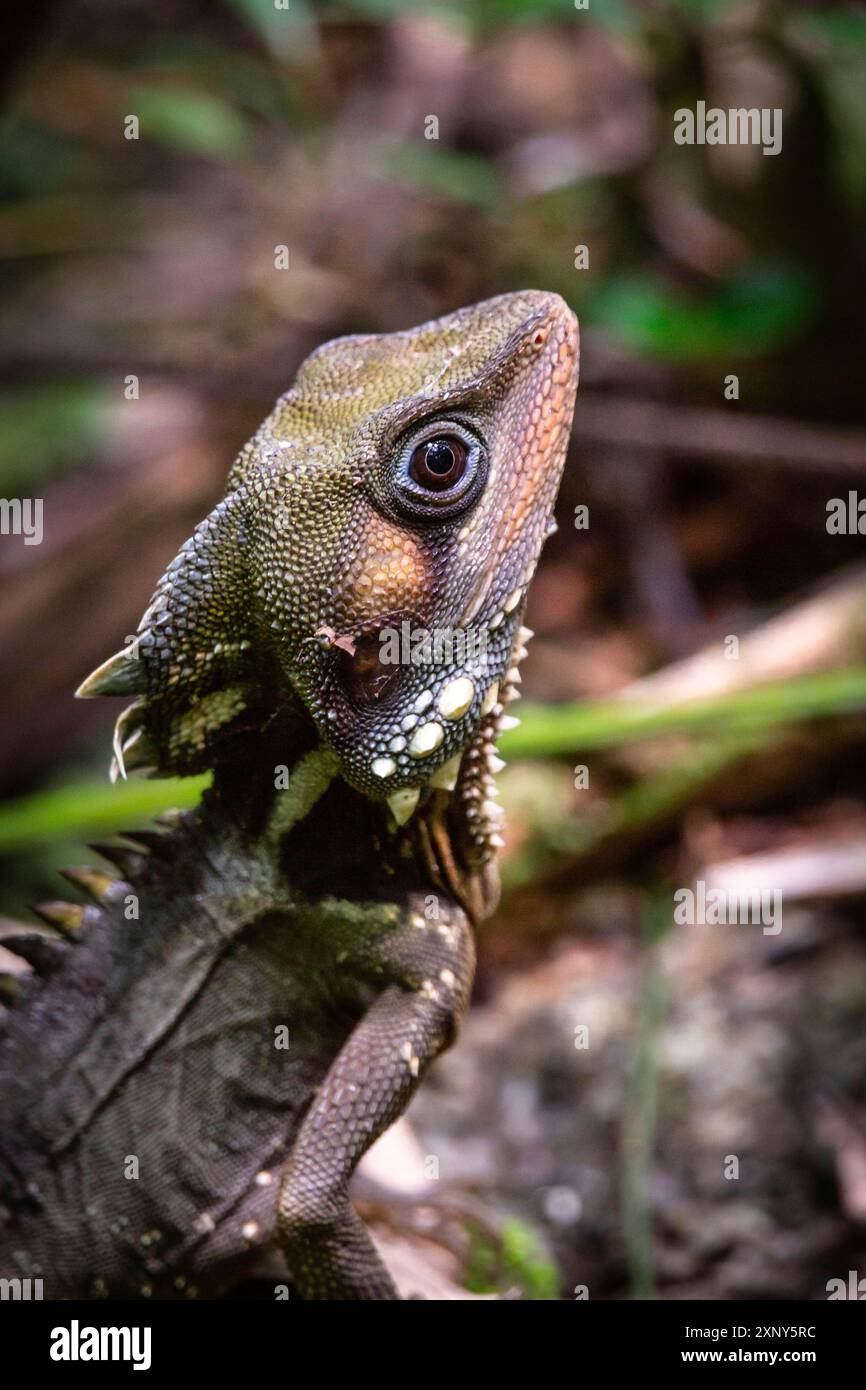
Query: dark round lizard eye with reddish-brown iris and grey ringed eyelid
pixel 441 471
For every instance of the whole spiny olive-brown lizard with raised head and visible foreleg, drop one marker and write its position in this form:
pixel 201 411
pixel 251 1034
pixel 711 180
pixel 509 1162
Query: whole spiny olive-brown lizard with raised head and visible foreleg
pixel 211 1043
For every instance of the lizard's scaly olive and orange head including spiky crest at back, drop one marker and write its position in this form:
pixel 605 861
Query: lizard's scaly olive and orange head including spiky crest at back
pixel 372 554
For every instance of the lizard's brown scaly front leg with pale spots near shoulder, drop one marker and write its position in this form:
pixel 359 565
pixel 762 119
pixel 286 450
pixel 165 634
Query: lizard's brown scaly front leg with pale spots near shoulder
pixel 429 968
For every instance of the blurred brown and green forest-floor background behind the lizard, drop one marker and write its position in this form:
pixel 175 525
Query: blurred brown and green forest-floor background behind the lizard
pixel 696 696
